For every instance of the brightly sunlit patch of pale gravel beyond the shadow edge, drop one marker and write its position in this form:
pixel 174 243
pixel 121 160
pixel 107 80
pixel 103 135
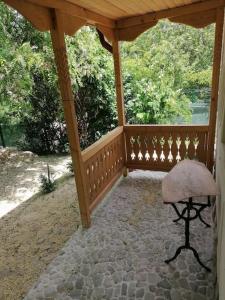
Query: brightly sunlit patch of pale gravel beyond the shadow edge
pixel 19 177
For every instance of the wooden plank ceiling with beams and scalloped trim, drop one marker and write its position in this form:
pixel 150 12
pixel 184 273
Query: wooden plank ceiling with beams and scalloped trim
pixel 123 20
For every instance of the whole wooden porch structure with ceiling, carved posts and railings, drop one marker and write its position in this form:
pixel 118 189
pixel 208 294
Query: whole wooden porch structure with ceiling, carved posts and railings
pixel 153 147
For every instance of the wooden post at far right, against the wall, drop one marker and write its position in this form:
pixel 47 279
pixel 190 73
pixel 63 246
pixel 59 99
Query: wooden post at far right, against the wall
pixel 215 86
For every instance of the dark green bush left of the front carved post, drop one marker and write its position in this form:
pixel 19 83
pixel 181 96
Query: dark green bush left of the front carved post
pixel 45 130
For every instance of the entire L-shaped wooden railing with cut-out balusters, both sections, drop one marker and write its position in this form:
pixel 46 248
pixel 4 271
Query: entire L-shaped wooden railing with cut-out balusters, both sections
pixel 146 147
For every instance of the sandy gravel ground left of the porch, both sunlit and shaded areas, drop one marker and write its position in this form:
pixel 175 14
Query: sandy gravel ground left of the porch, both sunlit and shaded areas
pixel 34 230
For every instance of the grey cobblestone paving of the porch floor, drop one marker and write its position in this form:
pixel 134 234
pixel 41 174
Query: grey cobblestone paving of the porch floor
pixel 122 255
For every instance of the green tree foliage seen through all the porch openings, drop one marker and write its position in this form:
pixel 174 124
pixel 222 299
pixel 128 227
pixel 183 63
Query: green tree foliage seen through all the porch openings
pixel 165 69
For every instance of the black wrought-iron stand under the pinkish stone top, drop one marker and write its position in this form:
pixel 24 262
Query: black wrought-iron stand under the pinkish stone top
pixel 190 205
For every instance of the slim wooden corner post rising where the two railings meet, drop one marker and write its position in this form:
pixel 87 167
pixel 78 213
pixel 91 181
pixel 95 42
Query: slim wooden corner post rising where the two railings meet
pixel 118 83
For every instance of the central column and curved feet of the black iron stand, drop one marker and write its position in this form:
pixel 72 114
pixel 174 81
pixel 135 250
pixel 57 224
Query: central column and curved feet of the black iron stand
pixel 187 219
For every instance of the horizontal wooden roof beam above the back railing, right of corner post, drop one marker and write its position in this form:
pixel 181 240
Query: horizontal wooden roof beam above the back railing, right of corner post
pixel 169 13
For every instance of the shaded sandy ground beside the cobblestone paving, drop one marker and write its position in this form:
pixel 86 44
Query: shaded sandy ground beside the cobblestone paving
pixel 32 234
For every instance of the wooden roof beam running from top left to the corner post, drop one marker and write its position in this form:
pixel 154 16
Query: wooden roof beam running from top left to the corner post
pixel 66 7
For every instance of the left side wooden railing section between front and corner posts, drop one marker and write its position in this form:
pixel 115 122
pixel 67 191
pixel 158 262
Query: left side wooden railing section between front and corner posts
pixel 103 164
